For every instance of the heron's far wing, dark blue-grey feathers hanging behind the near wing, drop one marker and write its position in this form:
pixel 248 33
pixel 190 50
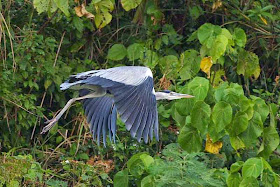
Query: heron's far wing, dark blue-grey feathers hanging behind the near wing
pixel 102 116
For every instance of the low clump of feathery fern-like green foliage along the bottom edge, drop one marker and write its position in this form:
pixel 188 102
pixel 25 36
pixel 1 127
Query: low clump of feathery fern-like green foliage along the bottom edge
pixel 175 168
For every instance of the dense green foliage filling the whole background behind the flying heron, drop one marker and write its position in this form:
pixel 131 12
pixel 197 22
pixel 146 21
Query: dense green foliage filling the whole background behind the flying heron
pixel 236 101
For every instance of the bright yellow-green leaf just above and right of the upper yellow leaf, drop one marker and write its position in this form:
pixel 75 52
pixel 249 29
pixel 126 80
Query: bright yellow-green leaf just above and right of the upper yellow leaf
pixel 219 47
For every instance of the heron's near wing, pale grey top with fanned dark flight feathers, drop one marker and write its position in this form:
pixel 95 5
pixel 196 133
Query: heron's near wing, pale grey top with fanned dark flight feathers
pixel 134 96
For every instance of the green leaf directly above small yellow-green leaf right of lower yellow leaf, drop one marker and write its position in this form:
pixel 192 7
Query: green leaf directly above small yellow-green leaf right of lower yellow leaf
pixel 238 125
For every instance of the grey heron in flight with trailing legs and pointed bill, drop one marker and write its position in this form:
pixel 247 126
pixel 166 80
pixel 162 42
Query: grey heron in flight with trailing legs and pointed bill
pixel 127 90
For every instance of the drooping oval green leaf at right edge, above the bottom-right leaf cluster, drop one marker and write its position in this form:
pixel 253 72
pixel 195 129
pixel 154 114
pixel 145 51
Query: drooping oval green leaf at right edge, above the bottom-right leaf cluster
pixel 270 141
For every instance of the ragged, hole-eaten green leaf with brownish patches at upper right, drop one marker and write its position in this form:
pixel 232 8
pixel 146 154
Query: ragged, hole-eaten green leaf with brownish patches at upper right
pixel 248 64
